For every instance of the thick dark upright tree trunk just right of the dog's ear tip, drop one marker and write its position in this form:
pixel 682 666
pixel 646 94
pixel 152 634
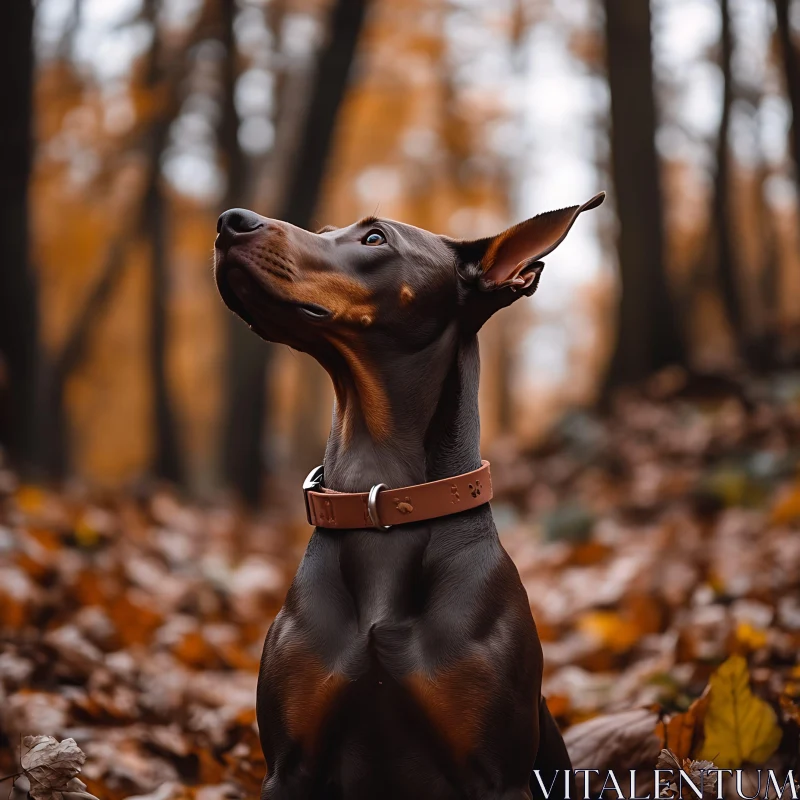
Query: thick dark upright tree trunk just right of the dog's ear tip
pixel 648 329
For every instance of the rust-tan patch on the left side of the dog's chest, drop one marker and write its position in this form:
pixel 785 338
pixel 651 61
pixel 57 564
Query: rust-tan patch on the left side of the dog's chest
pixel 307 693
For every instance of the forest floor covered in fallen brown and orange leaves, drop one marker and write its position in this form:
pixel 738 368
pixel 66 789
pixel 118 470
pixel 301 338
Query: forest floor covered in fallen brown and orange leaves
pixel 656 543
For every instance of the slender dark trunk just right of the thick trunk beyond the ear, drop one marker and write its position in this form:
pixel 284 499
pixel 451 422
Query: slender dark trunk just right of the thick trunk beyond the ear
pixel 721 210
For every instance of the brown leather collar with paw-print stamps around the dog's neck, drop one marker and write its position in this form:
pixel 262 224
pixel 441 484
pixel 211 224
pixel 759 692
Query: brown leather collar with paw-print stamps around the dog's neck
pixel 382 507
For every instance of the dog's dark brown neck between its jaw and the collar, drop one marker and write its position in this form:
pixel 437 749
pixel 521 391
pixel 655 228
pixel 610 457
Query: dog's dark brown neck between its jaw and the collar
pixel 434 427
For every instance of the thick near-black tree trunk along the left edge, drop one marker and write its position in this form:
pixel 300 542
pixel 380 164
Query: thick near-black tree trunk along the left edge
pixel 19 338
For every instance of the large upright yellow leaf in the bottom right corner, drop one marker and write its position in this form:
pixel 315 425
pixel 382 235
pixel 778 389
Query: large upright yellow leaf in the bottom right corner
pixel 739 726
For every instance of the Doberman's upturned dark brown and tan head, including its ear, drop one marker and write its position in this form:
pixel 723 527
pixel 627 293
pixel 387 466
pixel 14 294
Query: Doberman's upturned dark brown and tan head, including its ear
pixel 356 297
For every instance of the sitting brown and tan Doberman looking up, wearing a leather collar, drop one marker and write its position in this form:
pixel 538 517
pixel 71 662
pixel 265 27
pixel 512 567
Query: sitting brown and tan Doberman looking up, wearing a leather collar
pixel 405 662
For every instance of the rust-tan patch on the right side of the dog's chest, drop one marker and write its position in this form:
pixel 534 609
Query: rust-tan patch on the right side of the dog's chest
pixel 455 701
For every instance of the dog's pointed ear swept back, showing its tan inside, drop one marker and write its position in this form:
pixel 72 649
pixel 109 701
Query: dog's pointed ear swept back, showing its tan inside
pixel 508 265
